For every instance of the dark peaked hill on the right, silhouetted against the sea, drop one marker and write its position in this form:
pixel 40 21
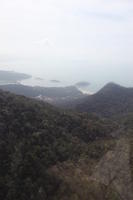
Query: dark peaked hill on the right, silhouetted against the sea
pixel 111 100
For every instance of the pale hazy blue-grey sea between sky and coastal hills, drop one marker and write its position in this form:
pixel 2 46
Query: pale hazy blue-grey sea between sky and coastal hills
pixel 97 76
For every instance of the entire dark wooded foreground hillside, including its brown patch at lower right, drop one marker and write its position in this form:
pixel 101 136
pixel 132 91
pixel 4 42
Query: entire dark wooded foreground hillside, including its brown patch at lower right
pixel 52 154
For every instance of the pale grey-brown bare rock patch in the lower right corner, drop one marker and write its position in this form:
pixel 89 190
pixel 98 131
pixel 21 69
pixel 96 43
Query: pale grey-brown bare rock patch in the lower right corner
pixel 114 172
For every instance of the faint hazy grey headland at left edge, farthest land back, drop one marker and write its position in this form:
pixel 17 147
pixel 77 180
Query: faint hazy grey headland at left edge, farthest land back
pixel 12 77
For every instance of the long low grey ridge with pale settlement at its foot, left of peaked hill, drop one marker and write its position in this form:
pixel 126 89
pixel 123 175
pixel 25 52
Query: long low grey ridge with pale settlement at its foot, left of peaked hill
pixel 59 96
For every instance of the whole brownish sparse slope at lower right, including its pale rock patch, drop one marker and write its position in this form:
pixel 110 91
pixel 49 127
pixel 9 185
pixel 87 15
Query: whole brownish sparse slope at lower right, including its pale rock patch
pixel 107 179
